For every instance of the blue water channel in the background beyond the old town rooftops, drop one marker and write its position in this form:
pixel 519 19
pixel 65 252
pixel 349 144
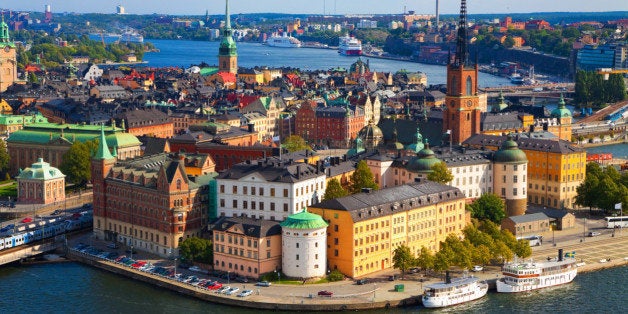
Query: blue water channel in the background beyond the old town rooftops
pixel 184 53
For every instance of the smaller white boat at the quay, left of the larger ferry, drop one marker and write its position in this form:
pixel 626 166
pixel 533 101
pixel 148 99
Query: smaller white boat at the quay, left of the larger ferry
pixel 452 292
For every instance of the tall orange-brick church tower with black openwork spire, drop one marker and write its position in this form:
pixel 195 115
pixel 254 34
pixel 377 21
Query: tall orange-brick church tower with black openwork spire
pixel 462 112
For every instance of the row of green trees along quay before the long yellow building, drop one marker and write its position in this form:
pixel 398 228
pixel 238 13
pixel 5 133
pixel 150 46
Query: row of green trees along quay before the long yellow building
pixel 483 243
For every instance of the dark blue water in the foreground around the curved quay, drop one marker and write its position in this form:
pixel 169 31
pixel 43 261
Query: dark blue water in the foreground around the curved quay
pixel 77 288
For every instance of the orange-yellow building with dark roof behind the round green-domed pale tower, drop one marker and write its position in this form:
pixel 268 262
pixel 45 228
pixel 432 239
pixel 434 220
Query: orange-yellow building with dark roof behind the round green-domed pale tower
pixel 555 168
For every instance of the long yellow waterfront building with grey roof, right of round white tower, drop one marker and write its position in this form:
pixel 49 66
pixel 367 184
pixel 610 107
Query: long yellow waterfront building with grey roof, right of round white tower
pixel 365 229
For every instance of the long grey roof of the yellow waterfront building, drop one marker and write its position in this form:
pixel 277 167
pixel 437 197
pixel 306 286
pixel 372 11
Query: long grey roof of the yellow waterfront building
pixel 369 205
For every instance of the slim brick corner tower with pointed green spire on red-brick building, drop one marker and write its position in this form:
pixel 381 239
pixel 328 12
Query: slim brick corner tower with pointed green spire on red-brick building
pixel 102 162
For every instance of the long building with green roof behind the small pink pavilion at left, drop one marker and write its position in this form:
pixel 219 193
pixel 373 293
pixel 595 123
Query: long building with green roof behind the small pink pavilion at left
pixel 51 140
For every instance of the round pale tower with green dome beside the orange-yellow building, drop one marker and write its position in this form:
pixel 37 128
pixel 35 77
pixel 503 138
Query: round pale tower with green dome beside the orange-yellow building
pixel 510 175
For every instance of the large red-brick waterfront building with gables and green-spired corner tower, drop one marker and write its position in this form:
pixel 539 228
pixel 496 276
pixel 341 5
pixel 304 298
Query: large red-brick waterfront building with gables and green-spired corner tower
pixel 150 203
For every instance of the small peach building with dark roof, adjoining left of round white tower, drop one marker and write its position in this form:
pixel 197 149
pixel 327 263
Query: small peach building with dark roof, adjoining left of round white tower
pixel 246 247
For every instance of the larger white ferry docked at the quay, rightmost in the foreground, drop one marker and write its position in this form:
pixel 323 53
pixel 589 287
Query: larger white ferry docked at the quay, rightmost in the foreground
pixel 526 276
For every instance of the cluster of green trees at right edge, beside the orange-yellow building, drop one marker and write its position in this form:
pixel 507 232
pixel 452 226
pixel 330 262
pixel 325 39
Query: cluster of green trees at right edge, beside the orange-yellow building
pixel 603 188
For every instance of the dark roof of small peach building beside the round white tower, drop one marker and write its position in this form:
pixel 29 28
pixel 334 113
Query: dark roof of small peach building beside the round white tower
pixel 256 228
